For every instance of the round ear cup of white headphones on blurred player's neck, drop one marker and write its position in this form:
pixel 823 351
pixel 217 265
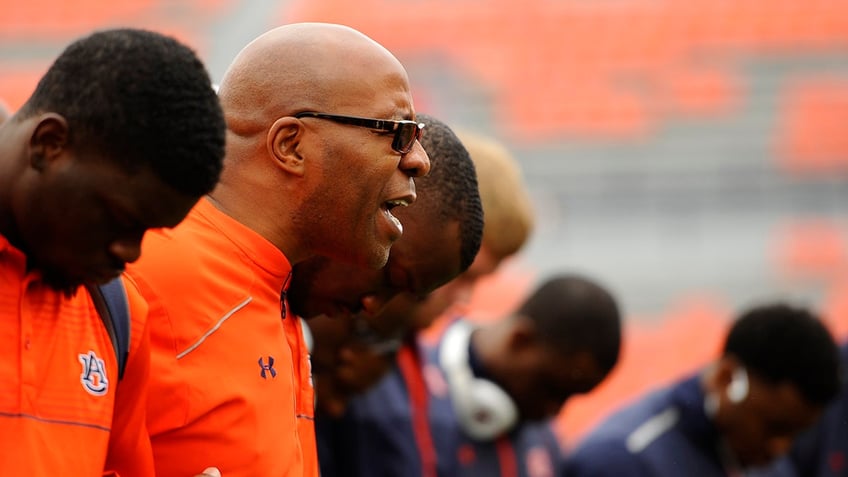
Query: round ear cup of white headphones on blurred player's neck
pixel 487 411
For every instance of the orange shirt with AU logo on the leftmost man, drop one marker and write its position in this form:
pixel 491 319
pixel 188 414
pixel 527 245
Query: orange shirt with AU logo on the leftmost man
pixel 62 410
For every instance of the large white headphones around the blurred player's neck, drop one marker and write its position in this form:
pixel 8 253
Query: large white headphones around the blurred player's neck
pixel 484 410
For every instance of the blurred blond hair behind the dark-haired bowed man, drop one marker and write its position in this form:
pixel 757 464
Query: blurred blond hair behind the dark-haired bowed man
pixel 506 200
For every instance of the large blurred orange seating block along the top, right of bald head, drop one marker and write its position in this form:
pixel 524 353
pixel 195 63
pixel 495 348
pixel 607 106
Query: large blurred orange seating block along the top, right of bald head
pixel 599 68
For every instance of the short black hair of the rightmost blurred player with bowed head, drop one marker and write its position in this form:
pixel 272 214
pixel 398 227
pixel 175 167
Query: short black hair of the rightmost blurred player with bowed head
pixel 781 343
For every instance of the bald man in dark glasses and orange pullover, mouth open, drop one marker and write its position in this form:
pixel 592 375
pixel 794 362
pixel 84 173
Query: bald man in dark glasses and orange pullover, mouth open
pixel 321 146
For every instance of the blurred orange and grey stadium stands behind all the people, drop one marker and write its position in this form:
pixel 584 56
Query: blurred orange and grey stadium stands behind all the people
pixel 692 156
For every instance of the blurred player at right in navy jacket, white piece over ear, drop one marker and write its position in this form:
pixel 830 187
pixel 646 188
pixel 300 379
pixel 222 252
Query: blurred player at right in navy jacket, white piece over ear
pixel 777 372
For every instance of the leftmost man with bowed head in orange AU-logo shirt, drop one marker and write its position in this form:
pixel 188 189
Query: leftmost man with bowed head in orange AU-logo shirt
pixel 122 134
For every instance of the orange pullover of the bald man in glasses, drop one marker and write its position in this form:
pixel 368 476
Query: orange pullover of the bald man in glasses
pixel 229 374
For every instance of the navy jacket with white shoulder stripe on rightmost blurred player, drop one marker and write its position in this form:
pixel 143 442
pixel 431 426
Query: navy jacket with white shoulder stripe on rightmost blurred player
pixel 665 434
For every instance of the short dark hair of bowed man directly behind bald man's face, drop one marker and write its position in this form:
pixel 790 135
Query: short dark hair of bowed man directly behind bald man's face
pixel 451 189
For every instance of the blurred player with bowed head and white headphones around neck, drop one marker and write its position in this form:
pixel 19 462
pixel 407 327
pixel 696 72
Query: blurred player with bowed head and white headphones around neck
pixel 495 387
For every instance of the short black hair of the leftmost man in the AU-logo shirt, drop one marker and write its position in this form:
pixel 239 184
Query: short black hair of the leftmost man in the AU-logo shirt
pixel 139 98
